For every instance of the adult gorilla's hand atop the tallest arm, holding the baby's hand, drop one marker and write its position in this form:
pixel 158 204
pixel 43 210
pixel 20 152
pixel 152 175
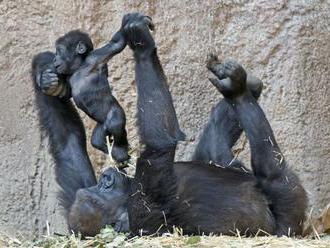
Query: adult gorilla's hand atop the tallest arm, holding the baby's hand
pixel 136 28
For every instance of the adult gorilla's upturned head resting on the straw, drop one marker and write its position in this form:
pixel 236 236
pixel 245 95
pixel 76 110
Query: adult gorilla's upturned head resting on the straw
pixel 101 205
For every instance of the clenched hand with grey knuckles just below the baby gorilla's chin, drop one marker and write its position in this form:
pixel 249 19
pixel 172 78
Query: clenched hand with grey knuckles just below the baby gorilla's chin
pixel 49 83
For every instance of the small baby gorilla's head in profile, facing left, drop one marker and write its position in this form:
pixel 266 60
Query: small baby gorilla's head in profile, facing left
pixel 71 50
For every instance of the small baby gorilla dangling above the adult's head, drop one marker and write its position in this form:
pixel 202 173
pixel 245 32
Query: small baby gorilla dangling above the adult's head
pixel 86 74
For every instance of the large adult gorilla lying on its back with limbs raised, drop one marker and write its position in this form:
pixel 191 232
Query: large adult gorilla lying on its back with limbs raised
pixel 195 196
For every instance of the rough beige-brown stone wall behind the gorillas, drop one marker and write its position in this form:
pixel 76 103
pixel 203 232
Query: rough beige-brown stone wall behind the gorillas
pixel 286 43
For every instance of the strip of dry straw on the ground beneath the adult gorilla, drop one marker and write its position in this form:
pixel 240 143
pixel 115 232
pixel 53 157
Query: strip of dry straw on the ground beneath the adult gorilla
pixel 109 238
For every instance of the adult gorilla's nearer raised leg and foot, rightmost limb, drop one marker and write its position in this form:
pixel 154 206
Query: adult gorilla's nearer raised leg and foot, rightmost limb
pixel 282 187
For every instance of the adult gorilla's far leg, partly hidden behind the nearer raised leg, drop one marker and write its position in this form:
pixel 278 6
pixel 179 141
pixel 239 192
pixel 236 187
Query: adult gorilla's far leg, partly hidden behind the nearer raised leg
pixel 222 130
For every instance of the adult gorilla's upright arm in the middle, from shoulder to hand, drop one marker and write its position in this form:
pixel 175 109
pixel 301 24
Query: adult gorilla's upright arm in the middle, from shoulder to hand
pixel 154 186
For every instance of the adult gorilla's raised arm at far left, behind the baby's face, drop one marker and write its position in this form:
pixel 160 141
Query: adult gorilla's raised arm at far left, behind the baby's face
pixel 62 124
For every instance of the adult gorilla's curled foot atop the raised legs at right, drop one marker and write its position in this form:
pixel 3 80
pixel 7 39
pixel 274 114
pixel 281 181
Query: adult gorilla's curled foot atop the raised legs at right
pixel 231 77
